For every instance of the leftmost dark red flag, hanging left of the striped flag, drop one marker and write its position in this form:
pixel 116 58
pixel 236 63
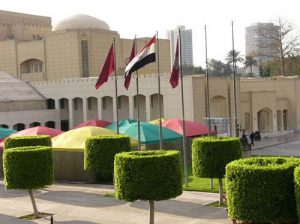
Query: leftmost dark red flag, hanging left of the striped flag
pixel 107 69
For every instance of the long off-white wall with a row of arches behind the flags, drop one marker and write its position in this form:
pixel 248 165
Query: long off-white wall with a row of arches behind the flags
pixel 77 100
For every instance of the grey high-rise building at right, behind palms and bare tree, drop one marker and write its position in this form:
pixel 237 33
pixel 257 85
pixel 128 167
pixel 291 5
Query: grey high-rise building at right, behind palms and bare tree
pixel 261 39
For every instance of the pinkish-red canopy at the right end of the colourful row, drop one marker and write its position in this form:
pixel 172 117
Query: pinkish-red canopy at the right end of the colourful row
pixel 192 128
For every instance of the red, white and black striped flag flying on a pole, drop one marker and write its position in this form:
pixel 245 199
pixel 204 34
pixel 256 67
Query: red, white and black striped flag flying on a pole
pixel 146 56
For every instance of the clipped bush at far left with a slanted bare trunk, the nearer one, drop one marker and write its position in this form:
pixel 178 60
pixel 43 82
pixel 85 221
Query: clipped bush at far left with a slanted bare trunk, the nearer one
pixel 28 167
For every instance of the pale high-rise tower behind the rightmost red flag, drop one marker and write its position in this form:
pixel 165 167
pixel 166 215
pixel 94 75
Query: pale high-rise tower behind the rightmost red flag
pixel 186 44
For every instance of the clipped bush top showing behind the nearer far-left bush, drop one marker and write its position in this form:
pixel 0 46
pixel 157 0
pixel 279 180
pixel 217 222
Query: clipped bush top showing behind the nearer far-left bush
pixel 21 141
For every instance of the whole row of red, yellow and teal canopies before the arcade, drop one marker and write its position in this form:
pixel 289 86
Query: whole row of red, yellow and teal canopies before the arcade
pixel 149 132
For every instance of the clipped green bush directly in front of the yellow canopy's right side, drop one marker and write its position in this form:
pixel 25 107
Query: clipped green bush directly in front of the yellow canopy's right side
pixel 100 151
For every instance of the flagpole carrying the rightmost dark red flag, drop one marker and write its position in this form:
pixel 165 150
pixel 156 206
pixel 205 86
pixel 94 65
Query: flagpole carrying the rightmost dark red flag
pixel 183 117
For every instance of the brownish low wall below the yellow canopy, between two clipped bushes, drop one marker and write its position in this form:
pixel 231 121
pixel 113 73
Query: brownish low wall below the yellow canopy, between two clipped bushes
pixel 68 166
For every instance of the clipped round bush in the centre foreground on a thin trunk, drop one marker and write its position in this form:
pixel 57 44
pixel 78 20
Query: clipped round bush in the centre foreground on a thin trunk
pixel 147 175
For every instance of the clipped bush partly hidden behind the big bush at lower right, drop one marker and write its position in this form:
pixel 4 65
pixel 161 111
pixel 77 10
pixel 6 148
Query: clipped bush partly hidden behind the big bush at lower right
pixel 210 155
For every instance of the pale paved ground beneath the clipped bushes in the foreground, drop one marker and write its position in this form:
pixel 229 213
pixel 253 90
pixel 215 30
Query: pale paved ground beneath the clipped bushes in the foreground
pixel 87 204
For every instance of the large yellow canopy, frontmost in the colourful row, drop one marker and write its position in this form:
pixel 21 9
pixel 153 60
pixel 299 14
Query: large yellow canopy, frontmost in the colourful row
pixel 75 138
